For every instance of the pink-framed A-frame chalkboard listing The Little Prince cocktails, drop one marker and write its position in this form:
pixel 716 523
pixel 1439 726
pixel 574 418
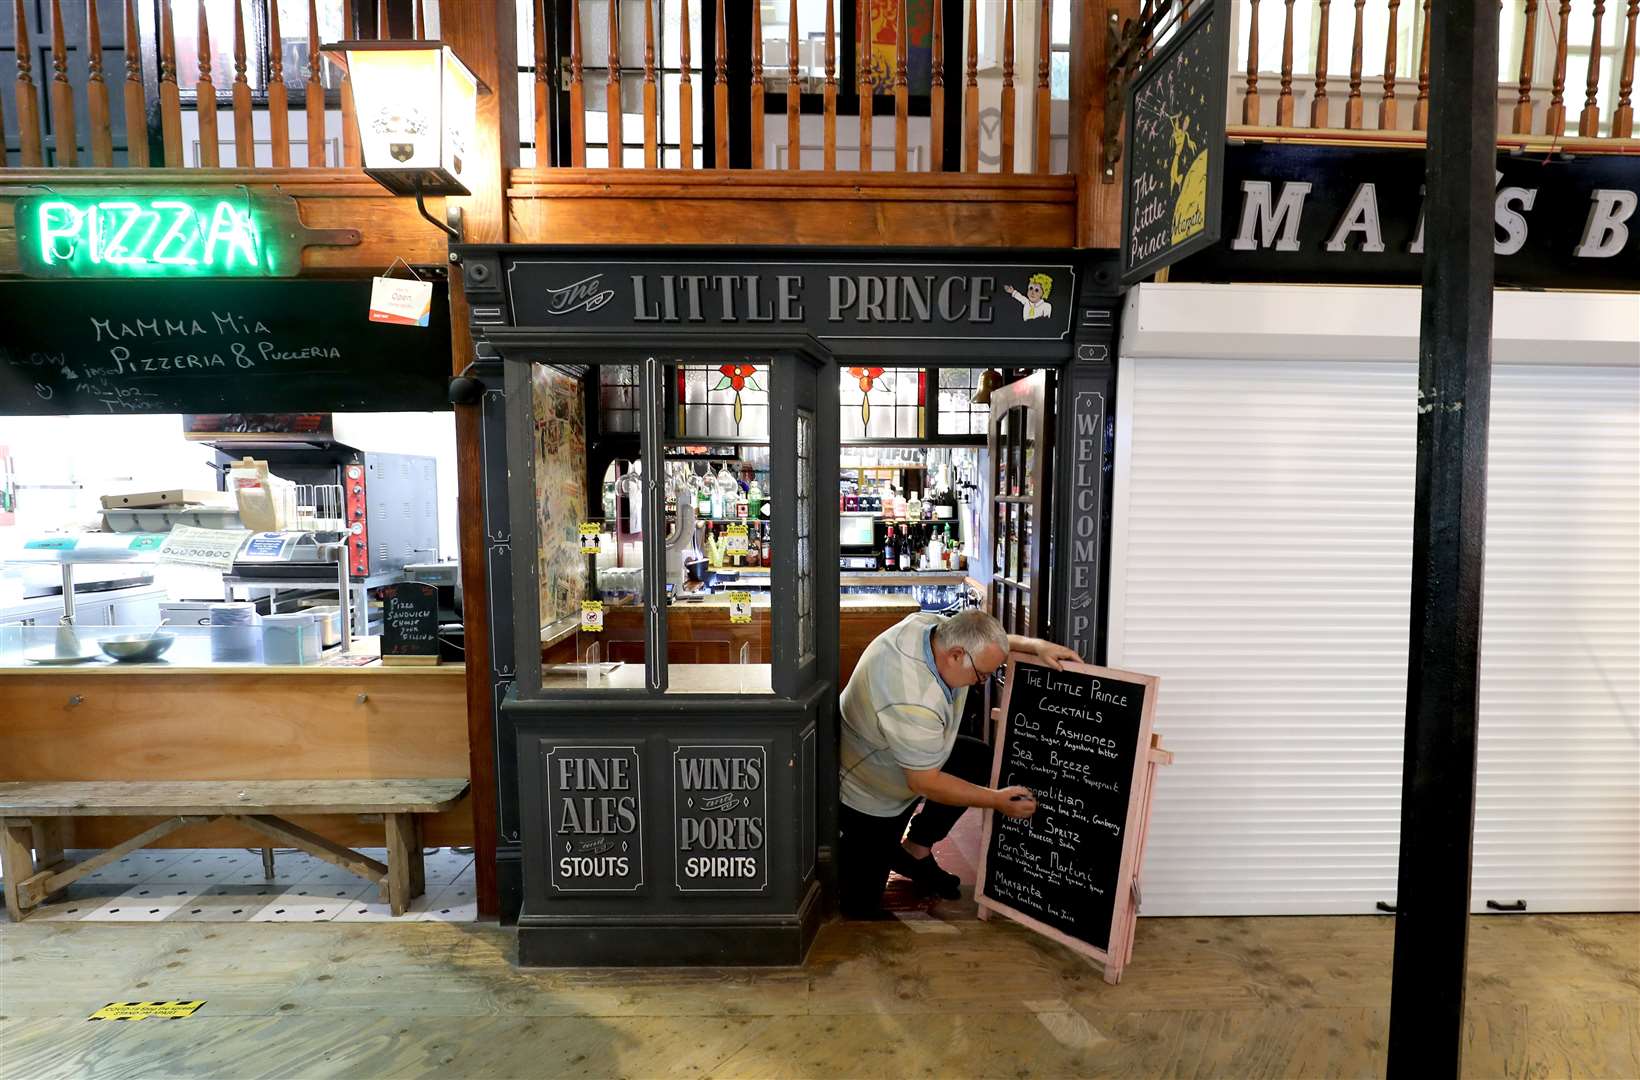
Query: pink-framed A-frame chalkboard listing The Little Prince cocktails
pixel 1082 742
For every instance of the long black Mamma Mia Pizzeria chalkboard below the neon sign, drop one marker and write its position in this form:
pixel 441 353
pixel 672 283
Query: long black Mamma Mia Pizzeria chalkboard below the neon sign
pixel 214 347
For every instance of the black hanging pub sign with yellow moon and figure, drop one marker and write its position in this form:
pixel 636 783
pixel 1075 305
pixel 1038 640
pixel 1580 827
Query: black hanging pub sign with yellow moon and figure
pixel 1173 158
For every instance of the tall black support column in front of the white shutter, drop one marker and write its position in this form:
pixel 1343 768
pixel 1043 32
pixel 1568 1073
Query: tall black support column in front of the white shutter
pixel 1449 547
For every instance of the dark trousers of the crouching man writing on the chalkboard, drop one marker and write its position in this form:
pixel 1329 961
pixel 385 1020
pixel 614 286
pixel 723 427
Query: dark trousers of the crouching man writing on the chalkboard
pixel 867 843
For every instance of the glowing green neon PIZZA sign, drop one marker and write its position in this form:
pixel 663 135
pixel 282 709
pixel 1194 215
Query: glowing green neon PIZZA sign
pixel 122 235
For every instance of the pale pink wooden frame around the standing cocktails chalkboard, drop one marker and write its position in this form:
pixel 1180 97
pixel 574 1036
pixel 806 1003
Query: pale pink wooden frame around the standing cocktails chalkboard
pixel 1147 756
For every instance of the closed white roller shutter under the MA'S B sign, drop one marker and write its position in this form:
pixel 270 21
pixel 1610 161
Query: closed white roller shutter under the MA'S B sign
pixel 1262 565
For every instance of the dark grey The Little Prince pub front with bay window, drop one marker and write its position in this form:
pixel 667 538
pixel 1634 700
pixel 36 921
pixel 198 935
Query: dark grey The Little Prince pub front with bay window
pixel 668 792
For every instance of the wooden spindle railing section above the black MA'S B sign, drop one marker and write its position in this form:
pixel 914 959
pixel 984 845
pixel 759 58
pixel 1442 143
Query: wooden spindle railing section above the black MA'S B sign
pixel 1531 109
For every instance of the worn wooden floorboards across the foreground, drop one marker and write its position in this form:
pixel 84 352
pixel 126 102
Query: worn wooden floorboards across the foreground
pixel 922 997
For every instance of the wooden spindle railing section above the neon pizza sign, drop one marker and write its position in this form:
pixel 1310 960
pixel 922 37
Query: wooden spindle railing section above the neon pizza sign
pixel 101 145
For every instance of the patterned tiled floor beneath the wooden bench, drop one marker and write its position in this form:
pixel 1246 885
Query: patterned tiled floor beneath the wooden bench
pixel 227 886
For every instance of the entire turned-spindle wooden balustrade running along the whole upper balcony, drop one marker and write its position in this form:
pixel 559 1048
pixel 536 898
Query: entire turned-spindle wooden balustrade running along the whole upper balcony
pixel 1595 39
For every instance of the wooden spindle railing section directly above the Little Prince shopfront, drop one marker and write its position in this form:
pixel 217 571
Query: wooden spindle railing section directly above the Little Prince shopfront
pixel 870 86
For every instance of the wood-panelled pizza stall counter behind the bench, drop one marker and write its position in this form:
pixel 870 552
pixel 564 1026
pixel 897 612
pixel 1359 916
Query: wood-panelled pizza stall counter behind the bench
pixel 189 719
